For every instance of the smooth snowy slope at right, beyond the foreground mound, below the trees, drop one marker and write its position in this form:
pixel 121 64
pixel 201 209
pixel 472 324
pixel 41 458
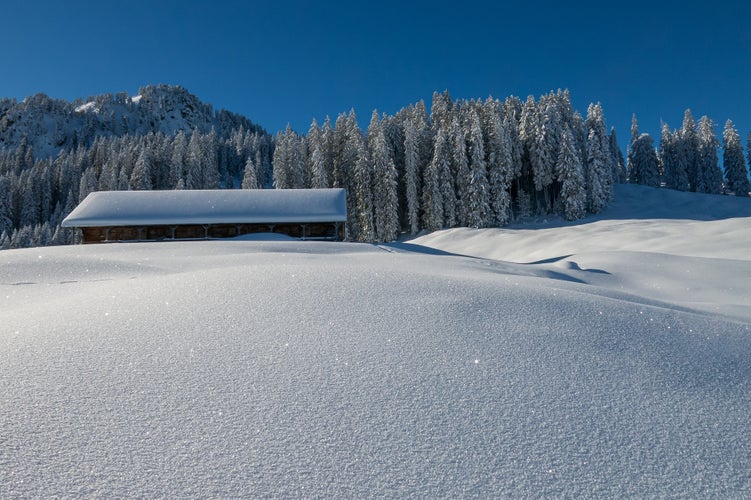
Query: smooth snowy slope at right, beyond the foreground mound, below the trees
pixel 694 253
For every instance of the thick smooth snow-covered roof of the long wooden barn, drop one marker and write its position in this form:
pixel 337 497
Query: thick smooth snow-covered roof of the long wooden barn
pixel 221 206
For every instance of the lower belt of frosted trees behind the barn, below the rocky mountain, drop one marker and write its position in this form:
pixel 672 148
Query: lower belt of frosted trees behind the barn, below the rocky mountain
pixel 37 194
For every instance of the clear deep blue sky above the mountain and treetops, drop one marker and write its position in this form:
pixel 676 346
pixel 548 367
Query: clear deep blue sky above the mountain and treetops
pixel 280 62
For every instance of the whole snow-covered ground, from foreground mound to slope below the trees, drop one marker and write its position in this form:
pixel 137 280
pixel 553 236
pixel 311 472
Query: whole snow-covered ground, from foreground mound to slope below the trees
pixel 611 357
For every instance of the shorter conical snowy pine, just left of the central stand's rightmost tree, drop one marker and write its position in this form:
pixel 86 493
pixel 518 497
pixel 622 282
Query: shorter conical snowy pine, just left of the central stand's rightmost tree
pixel 568 170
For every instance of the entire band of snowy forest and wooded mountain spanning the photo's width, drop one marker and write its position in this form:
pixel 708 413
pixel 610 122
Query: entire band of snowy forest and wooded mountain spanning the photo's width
pixel 476 163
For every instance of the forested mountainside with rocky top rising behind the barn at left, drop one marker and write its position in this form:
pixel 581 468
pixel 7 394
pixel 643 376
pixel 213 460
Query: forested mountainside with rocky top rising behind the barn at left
pixel 53 153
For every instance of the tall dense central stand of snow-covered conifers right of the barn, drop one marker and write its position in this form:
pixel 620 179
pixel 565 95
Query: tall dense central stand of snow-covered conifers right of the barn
pixel 468 163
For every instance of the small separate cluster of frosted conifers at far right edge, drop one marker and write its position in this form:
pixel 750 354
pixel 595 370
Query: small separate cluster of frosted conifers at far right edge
pixel 687 158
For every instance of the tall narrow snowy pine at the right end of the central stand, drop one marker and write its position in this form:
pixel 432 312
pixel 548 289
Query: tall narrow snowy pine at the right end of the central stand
pixel 599 177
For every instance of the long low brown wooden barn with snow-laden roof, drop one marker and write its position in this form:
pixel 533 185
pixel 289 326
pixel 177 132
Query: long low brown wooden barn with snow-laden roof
pixel 112 216
